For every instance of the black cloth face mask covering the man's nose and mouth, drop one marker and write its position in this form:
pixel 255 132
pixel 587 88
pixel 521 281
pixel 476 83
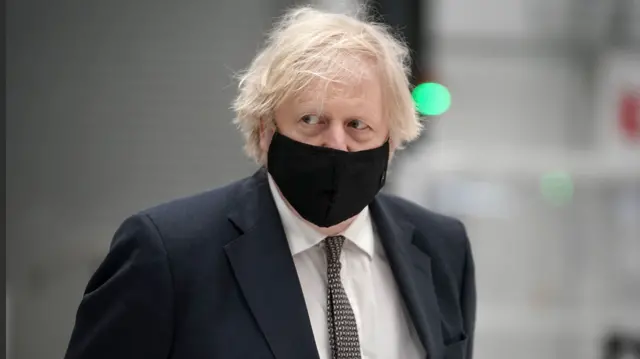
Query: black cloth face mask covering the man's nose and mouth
pixel 324 185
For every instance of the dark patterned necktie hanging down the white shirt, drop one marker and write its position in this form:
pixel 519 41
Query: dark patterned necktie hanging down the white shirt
pixel 343 331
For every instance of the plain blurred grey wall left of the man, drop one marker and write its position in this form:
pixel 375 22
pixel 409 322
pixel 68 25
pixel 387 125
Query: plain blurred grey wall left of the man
pixel 112 106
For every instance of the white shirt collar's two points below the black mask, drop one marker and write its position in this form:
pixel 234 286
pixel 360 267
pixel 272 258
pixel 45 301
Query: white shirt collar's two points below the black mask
pixel 301 236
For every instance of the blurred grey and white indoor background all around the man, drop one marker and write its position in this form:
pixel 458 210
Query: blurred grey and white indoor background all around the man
pixel 115 106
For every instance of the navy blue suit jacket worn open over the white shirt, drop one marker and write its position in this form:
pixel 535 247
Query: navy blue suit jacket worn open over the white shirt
pixel 211 276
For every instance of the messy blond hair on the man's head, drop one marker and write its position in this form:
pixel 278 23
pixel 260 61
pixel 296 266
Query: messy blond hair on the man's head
pixel 308 44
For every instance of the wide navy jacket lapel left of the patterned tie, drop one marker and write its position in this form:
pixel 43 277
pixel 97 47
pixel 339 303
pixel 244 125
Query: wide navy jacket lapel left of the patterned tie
pixel 264 268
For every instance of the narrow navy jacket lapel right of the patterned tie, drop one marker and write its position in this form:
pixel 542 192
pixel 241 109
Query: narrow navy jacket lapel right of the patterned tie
pixel 412 270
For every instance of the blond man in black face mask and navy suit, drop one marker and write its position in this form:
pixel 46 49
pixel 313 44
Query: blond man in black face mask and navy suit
pixel 305 259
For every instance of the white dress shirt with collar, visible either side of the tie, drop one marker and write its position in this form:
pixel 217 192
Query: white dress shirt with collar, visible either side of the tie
pixel 384 326
